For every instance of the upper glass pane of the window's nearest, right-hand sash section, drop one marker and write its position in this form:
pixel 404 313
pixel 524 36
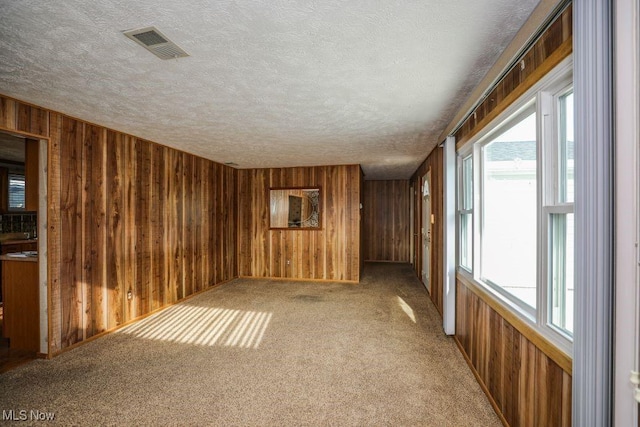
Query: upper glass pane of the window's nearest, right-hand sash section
pixel 566 145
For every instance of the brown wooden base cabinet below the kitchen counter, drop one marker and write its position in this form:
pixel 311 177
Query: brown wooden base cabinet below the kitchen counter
pixel 21 304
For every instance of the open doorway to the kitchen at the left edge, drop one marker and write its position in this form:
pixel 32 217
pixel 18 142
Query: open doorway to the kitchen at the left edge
pixel 23 318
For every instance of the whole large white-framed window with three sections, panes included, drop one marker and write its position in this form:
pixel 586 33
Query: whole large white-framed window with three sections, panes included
pixel 516 218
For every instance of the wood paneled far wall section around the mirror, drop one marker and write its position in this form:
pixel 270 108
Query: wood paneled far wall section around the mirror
pixel 332 253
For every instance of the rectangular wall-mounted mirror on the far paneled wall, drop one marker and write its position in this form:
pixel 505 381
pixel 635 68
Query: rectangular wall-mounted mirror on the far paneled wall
pixel 294 208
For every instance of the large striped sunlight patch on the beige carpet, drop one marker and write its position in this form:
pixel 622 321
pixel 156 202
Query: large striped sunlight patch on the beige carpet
pixel 206 326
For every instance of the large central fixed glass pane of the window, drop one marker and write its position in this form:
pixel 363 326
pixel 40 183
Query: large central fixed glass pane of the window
pixel 509 211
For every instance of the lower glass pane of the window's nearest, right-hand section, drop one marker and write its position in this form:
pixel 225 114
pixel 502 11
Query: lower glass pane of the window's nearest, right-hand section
pixel 562 270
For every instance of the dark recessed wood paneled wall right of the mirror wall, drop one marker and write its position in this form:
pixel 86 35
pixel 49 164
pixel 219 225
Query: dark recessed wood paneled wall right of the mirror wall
pixel 386 221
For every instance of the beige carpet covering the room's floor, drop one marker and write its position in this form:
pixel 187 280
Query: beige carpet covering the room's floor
pixel 258 352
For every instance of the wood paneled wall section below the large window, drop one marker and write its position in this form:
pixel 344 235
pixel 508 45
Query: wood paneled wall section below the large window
pixel 527 387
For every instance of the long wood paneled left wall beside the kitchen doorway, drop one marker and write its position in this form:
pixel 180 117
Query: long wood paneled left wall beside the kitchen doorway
pixel 125 216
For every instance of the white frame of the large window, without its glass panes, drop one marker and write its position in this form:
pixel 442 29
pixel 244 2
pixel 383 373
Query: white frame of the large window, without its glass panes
pixel 544 95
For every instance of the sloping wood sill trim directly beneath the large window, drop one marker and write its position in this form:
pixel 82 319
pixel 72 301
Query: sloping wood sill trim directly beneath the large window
pixel 548 348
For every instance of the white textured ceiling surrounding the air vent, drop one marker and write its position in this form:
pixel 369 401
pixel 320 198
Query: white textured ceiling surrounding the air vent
pixel 267 83
